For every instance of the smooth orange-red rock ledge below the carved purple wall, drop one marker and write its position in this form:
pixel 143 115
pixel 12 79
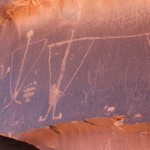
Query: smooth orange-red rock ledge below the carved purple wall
pixel 91 134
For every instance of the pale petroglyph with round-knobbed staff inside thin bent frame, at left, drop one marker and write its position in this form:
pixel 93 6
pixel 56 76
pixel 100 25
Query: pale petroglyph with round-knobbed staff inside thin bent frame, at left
pixel 19 83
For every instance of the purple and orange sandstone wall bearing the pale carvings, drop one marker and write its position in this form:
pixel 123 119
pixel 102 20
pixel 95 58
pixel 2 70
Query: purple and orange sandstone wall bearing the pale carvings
pixel 64 60
